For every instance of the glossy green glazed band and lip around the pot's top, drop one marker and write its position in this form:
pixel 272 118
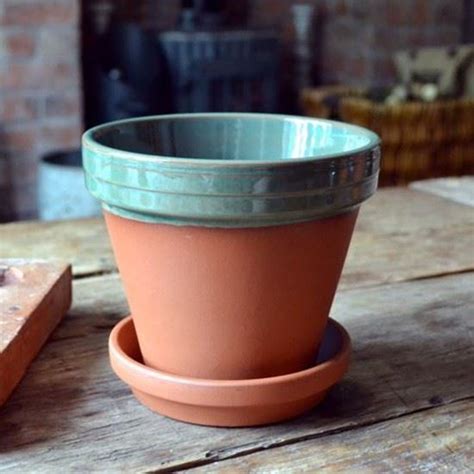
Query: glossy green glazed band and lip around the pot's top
pixel 153 187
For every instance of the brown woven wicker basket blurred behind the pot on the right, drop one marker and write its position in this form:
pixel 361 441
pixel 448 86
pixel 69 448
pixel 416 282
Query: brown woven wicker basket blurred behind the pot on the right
pixel 419 140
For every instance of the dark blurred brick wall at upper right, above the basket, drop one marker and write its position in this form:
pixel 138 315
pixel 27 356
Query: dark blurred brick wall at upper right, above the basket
pixel 355 39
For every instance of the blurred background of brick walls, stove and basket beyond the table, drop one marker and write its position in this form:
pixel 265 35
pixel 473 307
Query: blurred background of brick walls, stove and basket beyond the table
pixel 404 68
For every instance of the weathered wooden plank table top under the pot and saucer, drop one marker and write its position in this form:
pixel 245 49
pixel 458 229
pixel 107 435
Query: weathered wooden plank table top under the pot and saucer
pixel 406 405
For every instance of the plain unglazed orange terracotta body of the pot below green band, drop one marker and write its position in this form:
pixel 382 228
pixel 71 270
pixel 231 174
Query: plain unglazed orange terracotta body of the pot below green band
pixel 230 303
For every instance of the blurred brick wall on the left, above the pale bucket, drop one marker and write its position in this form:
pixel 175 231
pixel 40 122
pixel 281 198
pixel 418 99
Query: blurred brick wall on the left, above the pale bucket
pixel 40 100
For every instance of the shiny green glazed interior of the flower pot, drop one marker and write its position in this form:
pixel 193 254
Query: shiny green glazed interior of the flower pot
pixel 242 137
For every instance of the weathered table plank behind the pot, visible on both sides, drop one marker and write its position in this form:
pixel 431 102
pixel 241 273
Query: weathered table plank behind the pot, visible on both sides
pixel 400 235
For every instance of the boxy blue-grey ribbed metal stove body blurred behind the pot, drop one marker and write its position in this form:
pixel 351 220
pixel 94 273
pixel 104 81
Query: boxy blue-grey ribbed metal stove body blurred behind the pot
pixel 222 70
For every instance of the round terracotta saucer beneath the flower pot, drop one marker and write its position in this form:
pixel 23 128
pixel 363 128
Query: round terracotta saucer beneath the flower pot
pixel 229 402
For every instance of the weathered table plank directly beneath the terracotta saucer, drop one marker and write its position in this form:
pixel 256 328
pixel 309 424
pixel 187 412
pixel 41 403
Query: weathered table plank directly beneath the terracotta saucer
pixel 413 349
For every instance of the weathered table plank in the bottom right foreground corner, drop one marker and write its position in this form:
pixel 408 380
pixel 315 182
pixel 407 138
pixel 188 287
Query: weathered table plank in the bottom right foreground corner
pixel 437 440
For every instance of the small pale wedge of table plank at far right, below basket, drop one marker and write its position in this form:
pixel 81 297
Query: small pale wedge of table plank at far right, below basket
pixel 460 189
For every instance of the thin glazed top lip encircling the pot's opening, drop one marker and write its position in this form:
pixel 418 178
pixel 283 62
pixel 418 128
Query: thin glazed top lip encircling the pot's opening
pixel 89 140
